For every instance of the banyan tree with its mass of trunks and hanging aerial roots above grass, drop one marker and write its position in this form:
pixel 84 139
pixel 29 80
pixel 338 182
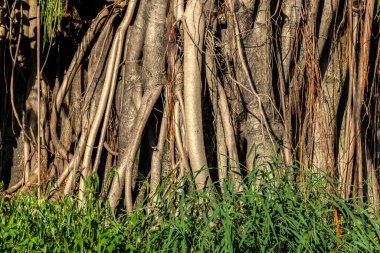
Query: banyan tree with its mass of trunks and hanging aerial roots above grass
pixel 134 91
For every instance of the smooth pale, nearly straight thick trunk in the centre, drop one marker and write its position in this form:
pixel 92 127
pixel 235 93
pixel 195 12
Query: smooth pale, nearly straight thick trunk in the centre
pixel 194 25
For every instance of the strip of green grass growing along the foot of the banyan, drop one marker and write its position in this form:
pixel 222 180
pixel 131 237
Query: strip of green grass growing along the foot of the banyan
pixel 269 215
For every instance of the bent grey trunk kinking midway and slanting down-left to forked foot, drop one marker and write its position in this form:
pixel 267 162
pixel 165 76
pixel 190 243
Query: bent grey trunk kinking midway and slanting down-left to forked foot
pixel 155 69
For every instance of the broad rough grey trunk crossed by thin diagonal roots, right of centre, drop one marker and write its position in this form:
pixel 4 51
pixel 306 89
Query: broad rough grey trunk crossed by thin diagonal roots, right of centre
pixel 262 126
